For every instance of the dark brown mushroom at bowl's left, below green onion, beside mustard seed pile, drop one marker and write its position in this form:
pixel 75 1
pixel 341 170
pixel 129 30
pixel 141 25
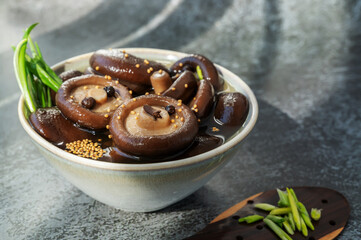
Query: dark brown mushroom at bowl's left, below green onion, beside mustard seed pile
pixel 51 125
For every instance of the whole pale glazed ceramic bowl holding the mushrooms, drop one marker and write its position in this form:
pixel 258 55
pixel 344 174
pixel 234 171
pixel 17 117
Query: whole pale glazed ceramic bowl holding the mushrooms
pixel 142 187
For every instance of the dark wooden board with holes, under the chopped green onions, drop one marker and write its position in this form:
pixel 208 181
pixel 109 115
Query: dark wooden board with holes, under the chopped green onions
pixel 335 214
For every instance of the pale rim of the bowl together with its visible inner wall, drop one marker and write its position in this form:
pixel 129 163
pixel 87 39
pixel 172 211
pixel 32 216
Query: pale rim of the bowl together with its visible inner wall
pixel 81 62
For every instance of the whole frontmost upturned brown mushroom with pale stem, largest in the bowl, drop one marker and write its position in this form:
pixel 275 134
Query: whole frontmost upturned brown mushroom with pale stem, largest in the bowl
pixel 134 132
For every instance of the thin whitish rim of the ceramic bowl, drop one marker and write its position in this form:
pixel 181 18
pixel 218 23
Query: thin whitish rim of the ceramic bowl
pixel 147 166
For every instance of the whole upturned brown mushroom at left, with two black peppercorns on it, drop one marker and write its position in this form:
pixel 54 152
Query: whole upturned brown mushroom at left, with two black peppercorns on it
pixel 72 93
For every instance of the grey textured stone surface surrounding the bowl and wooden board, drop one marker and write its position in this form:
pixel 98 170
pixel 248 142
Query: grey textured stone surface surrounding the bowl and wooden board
pixel 301 58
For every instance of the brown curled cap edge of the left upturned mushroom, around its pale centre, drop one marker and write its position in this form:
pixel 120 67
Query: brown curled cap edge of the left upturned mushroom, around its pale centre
pixel 75 112
